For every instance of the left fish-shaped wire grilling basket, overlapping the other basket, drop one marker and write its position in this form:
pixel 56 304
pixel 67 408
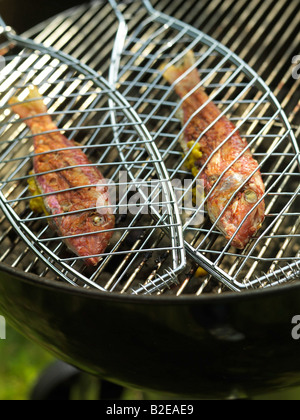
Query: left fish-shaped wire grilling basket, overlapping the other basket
pixel 84 107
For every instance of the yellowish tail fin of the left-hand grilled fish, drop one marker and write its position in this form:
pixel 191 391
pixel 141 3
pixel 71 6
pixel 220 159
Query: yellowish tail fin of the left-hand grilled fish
pixel 29 106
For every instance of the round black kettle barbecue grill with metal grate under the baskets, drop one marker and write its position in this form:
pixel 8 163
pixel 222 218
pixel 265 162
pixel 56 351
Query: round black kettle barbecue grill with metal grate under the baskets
pixel 198 338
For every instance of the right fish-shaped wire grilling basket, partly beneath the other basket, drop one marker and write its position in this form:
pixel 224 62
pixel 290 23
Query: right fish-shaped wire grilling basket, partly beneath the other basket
pixel 272 256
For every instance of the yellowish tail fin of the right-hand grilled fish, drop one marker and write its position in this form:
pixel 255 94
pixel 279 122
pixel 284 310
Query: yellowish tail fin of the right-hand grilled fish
pixel 181 74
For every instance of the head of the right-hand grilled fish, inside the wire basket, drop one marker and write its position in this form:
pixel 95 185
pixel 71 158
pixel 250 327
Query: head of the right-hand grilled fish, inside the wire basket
pixel 238 209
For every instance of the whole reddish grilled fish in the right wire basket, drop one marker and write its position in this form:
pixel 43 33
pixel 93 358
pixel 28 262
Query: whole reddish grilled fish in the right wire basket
pixel 232 179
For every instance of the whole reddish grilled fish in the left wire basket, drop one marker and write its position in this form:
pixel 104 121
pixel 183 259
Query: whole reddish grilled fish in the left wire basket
pixel 78 188
